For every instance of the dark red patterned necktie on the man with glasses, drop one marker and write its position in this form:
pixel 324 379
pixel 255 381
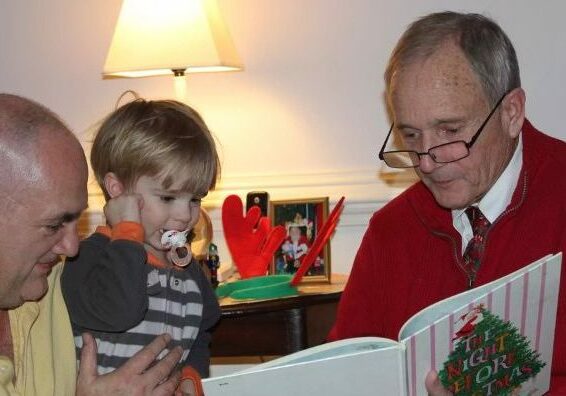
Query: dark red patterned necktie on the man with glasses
pixel 474 250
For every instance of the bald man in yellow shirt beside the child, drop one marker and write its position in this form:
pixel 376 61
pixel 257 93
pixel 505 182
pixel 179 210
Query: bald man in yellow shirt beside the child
pixel 43 191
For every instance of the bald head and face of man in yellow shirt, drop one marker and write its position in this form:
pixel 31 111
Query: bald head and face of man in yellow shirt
pixel 42 193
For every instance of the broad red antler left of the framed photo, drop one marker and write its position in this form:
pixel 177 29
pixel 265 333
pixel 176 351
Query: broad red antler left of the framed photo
pixel 251 247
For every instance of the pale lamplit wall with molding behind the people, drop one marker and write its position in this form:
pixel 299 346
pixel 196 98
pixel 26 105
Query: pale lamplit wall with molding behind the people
pixel 306 117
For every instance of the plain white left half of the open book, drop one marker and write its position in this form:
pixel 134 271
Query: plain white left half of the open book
pixel 360 366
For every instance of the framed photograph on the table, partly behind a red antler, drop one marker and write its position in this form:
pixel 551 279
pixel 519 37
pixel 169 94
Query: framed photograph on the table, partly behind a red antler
pixel 302 218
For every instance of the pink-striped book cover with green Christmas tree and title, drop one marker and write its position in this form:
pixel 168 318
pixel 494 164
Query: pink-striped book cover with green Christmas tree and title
pixel 521 305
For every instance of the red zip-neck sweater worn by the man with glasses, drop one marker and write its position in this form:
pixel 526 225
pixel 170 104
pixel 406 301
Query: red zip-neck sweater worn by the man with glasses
pixel 411 254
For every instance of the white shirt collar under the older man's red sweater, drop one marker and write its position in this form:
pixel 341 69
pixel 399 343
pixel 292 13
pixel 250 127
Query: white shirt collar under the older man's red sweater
pixel 496 200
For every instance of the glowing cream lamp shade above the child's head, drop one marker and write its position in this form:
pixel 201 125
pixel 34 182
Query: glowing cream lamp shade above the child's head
pixel 155 37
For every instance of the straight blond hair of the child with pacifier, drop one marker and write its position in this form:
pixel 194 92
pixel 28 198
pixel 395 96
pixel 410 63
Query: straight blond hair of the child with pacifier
pixel 161 138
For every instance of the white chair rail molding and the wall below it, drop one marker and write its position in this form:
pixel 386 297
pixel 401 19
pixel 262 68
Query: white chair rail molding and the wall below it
pixel 365 190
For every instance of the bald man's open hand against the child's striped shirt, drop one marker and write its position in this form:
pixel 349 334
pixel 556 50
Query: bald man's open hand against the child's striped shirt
pixel 134 377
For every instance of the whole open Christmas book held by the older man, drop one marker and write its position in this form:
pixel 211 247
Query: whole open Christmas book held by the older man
pixel 494 339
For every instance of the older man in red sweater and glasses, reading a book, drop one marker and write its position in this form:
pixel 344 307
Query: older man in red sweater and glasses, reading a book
pixel 455 98
